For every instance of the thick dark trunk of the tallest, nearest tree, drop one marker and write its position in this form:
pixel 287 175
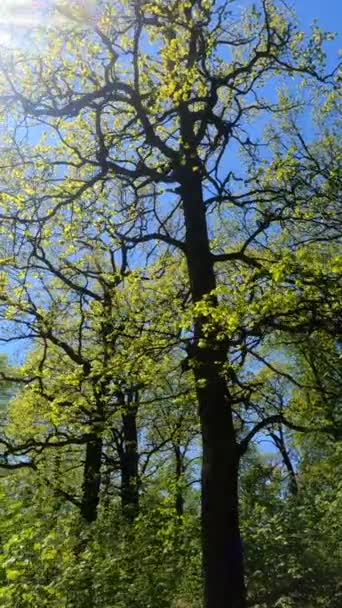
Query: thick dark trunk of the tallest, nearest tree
pixel 221 543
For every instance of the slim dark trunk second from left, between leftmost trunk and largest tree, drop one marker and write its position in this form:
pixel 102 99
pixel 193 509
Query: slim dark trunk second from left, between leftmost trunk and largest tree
pixel 129 459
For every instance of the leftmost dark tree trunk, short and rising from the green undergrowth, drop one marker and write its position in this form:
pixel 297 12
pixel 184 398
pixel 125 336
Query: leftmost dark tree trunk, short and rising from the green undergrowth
pixel 91 478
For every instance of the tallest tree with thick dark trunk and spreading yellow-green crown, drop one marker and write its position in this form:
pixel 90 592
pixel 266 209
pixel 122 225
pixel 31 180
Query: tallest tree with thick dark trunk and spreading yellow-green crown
pixel 145 109
